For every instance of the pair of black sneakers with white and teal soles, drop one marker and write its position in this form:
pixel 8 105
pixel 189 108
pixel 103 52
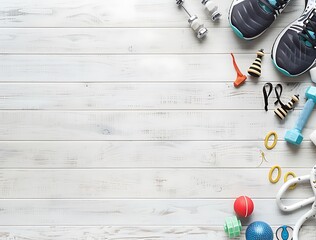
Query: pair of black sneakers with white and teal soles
pixel 294 50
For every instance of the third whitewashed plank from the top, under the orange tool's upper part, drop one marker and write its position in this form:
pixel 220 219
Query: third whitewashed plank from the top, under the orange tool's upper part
pixel 131 68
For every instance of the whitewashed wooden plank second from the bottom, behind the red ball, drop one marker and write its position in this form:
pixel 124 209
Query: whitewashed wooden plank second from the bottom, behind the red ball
pixel 134 212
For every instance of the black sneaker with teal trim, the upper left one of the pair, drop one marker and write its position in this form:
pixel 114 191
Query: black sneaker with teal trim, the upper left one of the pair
pixel 250 18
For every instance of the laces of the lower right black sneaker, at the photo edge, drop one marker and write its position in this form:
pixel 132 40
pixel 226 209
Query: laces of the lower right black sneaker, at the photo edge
pixel 308 34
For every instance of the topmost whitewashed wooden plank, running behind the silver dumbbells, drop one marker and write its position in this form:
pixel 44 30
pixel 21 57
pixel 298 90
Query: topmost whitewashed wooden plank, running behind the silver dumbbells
pixel 125 13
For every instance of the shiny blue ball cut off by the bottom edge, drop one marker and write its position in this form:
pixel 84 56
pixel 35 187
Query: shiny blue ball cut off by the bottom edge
pixel 259 231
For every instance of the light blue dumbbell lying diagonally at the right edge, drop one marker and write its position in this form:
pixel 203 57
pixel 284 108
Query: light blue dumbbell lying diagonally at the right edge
pixel 295 135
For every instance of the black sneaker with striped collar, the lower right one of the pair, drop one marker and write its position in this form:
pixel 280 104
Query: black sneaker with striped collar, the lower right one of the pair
pixel 294 50
